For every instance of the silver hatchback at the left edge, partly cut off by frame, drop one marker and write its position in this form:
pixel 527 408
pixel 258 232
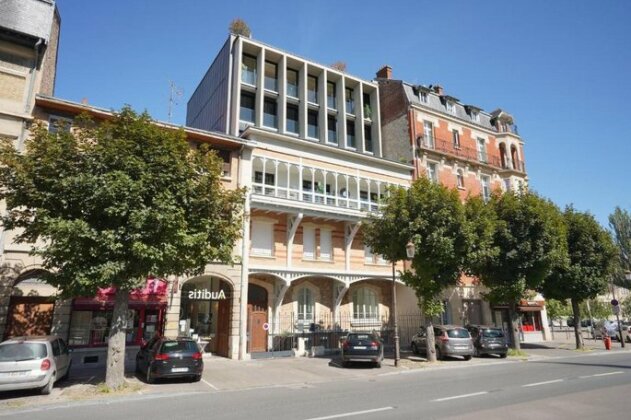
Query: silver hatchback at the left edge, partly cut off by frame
pixel 33 362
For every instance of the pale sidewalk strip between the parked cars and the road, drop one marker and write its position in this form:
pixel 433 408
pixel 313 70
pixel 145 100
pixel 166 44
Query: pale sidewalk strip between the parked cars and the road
pixel 221 375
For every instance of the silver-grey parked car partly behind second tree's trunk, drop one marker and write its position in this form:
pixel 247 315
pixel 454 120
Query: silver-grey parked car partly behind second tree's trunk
pixel 450 340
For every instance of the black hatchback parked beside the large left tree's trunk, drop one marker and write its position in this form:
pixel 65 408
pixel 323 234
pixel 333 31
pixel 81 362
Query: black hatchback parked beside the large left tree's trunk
pixel 164 357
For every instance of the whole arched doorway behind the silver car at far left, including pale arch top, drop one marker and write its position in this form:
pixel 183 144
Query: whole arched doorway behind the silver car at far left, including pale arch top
pixel 31 306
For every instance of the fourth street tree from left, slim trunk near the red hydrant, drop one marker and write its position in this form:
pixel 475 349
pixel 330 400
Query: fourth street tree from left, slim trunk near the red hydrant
pixel 585 273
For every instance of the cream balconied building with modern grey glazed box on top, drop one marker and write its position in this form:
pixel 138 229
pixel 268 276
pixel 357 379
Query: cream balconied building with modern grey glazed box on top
pixel 316 171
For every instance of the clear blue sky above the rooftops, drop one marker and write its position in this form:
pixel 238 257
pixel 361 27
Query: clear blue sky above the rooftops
pixel 561 68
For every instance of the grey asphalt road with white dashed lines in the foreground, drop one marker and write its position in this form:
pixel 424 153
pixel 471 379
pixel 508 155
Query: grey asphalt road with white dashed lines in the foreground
pixel 579 387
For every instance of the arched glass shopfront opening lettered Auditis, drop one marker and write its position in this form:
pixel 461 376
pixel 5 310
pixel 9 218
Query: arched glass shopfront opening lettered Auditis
pixel 205 313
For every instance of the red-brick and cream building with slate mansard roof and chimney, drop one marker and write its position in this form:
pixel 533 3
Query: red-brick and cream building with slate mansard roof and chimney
pixel 462 147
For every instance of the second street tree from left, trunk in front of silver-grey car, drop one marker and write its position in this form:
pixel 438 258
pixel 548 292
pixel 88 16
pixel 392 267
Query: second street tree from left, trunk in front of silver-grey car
pixel 433 218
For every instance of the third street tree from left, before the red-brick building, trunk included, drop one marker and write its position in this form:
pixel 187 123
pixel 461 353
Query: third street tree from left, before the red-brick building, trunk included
pixel 527 234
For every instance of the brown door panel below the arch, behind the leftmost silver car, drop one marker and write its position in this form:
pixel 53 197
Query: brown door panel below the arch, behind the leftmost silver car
pixel 29 316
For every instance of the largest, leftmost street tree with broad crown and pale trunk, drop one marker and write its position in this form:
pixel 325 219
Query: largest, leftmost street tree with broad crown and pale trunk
pixel 115 203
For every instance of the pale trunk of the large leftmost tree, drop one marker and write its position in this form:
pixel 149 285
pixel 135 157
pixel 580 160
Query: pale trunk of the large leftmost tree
pixel 115 373
